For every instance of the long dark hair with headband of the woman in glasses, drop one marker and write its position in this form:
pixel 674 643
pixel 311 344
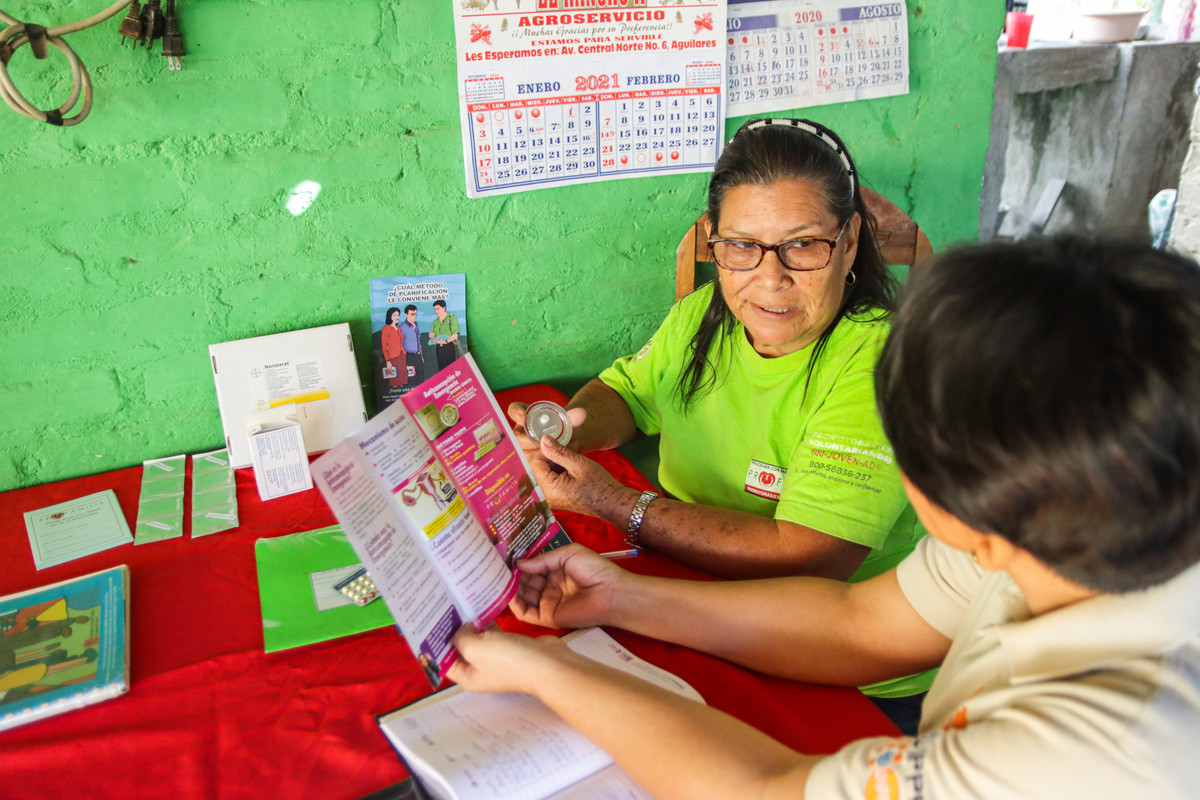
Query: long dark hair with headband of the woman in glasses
pixel 763 153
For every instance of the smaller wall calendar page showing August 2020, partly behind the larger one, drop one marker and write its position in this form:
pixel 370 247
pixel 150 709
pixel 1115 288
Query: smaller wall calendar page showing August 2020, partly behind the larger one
pixel 787 55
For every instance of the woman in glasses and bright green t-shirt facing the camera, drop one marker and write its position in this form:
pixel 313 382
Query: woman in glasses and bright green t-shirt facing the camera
pixel 761 388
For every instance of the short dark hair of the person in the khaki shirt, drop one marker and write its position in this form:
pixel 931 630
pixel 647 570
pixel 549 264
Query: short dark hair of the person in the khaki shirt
pixel 1049 392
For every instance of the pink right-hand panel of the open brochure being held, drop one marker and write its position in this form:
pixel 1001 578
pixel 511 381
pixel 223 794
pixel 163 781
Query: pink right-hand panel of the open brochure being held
pixel 471 436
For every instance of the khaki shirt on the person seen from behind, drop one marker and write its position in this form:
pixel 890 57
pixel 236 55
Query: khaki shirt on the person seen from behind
pixel 1097 700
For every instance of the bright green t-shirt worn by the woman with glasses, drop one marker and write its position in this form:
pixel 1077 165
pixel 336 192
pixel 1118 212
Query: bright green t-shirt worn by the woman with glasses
pixel 760 443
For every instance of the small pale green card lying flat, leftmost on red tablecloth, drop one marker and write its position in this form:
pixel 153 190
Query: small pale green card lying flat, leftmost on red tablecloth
pixel 69 531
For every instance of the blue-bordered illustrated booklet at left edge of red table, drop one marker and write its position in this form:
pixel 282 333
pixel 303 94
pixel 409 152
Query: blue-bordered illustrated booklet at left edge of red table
pixel 64 647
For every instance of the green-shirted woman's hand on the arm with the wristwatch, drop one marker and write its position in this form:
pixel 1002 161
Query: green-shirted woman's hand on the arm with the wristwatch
pixel 575 483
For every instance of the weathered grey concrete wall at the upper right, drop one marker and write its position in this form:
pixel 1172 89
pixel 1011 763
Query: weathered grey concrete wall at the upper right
pixel 1111 121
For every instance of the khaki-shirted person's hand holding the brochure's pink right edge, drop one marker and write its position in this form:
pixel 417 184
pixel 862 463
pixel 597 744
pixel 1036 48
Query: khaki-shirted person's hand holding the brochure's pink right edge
pixel 567 587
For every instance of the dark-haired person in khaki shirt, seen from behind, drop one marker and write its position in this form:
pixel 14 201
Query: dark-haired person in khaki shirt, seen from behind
pixel 1042 401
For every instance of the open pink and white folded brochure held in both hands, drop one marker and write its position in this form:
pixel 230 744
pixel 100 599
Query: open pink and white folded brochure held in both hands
pixel 439 502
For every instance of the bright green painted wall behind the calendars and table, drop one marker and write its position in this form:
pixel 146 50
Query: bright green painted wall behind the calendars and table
pixel 158 226
